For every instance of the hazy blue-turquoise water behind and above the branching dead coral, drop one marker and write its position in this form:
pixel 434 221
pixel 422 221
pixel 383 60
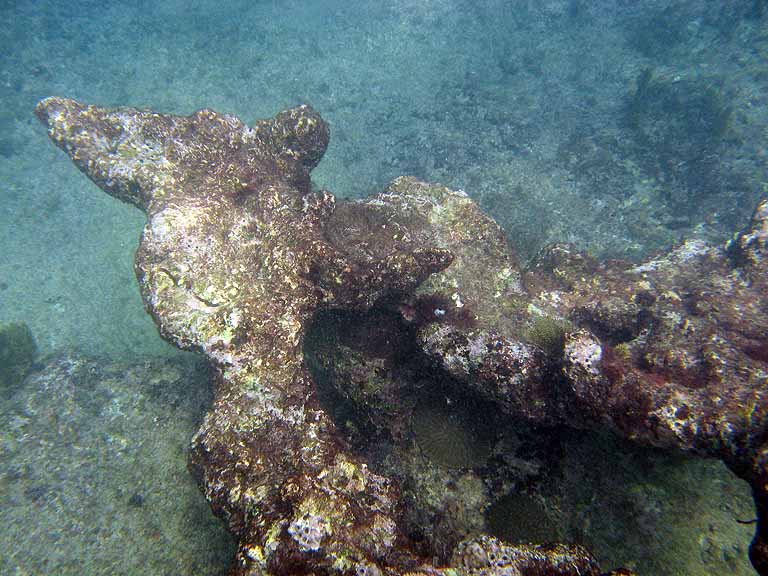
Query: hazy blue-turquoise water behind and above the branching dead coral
pixel 619 126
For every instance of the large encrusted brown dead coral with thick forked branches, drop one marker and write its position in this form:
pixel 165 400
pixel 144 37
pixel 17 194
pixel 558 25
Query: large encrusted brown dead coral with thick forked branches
pixel 240 254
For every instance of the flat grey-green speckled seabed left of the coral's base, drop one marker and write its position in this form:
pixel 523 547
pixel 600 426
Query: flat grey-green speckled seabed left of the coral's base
pixel 93 476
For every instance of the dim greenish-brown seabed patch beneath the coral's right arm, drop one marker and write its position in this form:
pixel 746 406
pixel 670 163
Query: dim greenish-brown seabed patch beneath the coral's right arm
pixel 654 512
